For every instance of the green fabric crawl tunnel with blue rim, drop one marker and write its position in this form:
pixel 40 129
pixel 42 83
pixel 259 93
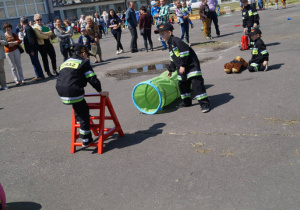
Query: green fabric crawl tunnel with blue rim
pixel 152 95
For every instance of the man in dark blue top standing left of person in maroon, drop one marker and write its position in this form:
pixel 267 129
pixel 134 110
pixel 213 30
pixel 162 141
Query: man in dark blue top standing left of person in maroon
pixel 132 24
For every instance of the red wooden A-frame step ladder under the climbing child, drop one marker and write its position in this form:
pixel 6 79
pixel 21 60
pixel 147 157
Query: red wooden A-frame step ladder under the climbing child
pixel 97 129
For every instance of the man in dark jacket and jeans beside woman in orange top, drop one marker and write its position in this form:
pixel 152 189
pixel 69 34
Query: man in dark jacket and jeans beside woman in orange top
pixel 31 48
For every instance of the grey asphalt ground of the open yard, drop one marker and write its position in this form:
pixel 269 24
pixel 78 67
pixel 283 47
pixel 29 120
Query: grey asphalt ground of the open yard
pixel 243 154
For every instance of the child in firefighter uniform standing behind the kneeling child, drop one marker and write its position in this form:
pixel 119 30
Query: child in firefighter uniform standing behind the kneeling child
pixel 250 18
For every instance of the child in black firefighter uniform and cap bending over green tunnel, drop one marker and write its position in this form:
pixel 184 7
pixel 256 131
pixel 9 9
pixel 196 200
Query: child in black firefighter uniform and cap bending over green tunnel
pixel 185 61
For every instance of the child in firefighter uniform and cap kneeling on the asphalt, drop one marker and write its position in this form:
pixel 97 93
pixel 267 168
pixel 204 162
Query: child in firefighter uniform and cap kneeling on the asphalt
pixel 260 54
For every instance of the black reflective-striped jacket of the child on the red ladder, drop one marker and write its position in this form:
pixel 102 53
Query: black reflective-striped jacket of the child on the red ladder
pixel 74 74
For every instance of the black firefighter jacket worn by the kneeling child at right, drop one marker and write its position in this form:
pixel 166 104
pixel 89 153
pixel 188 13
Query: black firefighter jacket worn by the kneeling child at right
pixel 259 52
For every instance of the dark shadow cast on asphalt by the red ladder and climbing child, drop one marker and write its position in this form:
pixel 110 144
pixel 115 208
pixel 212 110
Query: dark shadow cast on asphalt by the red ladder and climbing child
pixel 133 138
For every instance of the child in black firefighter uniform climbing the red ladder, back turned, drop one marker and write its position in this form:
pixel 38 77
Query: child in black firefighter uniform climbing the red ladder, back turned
pixel 74 74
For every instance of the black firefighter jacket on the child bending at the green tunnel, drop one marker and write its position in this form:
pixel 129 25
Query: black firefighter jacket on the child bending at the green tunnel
pixel 181 54
